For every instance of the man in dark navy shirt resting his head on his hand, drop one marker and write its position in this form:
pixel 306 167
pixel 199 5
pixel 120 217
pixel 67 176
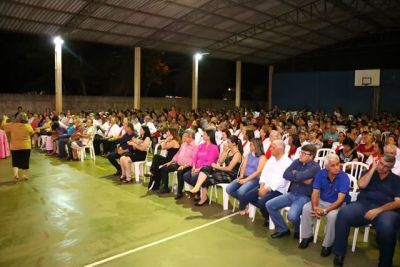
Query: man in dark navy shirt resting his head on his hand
pixel 378 204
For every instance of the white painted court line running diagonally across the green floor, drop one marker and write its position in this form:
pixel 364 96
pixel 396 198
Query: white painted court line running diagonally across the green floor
pixel 159 241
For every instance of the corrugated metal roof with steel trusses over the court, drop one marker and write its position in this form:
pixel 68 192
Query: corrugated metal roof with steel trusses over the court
pixel 256 31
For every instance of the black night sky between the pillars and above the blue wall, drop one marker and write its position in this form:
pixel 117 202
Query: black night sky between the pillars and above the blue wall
pixel 27 64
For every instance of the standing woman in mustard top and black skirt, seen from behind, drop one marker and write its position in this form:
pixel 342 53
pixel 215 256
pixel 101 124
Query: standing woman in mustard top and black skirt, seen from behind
pixel 21 133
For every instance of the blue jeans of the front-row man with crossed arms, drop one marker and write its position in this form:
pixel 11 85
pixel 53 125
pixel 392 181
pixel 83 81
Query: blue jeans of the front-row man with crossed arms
pixel 295 202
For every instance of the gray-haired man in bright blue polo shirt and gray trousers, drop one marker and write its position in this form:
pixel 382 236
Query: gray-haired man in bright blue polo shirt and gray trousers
pixel 330 189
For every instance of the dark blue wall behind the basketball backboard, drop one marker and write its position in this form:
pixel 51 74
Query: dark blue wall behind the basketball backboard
pixel 324 90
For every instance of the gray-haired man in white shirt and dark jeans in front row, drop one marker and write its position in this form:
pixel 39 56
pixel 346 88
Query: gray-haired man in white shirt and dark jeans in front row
pixel 271 182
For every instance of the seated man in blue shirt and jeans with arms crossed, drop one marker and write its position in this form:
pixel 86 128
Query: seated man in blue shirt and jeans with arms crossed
pixel 300 174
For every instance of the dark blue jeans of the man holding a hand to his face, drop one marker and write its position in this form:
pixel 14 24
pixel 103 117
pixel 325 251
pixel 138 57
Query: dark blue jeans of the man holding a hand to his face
pixel 386 226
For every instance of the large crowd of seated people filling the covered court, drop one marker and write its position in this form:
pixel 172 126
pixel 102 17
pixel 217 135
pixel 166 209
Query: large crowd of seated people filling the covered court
pixel 267 158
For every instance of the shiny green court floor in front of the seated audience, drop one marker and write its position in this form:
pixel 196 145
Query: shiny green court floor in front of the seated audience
pixel 76 213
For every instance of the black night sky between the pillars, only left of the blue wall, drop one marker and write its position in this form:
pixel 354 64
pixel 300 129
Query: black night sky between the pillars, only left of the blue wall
pixel 27 64
